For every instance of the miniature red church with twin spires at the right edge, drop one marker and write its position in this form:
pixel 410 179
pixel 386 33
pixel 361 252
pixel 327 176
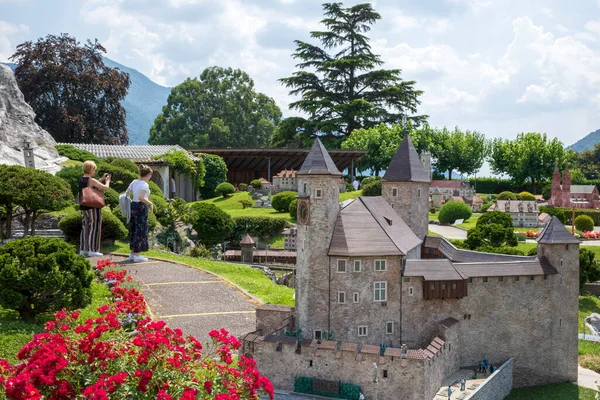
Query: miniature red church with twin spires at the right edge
pixel 572 196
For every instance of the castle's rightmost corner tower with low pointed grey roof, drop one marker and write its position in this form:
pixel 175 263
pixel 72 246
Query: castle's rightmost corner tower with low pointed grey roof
pixel 558 247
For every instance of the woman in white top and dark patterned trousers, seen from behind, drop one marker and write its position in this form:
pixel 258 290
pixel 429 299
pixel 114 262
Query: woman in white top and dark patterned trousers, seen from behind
pixel 138 223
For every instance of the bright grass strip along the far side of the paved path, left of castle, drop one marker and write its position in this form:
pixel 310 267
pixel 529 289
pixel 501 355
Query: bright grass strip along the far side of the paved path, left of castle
pixel 251 280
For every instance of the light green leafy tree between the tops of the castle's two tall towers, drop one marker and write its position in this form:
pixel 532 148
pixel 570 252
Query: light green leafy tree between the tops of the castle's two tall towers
pixel 382 142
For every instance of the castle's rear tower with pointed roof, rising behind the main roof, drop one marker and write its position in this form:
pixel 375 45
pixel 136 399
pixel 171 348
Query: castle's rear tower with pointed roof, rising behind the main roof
pixel 405 186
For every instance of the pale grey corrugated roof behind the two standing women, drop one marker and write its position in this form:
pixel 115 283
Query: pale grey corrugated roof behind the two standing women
pixel 137 153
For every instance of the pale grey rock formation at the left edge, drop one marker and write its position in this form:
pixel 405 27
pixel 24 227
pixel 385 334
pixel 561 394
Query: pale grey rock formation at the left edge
pixel 17 125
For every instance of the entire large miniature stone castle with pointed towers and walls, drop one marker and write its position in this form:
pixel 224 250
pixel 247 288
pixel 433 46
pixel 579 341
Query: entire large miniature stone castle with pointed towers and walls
pixel 373 288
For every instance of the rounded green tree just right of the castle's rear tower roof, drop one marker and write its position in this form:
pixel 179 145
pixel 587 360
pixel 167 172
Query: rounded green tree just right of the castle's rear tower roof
pixel 463 151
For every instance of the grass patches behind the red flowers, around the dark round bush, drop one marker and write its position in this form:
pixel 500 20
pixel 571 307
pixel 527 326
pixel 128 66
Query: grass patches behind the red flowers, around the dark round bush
pixel 14 333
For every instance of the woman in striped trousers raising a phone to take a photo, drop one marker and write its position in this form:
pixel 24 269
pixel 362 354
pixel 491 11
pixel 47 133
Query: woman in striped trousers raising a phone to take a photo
pixel 91 218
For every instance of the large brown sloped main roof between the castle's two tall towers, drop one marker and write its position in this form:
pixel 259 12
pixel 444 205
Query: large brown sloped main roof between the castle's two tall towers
pixel 370 217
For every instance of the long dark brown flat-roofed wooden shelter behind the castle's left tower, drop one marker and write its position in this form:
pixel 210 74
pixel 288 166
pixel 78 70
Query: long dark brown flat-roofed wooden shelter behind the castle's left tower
pixel 244 165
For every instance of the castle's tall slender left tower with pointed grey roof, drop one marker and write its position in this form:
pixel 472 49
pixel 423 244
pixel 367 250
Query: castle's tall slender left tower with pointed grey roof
pixel 318 208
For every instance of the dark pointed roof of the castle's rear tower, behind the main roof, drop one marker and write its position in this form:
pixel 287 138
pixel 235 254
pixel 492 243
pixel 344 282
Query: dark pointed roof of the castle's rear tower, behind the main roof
pixel 406 165
